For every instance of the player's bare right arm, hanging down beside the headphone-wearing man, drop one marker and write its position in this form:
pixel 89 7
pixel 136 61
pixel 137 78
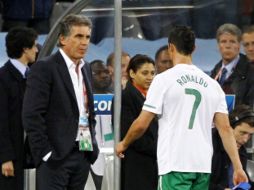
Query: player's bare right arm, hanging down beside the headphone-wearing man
pixel 226 133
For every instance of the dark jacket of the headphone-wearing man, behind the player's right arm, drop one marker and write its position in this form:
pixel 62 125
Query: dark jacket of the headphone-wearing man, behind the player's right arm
pixel 221 163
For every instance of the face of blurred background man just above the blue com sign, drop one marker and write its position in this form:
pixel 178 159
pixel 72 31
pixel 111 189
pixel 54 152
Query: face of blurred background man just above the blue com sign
pixel 101 77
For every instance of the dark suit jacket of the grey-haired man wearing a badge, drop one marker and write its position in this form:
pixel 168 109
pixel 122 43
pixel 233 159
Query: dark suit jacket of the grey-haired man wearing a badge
pixel 50 110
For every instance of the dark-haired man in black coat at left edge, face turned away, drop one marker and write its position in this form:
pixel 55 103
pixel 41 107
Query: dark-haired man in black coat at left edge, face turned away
pixel 21 49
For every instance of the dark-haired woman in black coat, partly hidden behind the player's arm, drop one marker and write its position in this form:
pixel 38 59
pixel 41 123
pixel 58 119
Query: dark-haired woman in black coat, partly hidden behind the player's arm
pixel 139 167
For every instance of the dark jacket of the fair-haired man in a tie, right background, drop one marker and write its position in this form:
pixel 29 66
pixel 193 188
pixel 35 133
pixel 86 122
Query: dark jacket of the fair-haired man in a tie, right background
pixel 240 82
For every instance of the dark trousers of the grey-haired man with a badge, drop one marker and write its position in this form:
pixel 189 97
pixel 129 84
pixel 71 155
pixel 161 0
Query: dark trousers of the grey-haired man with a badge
pixel 68 174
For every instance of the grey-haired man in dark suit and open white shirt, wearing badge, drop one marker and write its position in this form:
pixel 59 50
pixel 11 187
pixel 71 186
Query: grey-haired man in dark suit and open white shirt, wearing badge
pixel 58 111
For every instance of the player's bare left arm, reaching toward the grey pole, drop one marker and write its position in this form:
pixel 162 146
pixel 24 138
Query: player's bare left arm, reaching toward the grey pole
pixel 137 129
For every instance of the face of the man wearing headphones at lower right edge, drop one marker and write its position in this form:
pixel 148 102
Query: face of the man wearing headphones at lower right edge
pixel 243 133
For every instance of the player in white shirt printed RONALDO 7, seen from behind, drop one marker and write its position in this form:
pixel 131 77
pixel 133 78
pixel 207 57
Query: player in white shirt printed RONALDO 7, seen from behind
pixel 186 108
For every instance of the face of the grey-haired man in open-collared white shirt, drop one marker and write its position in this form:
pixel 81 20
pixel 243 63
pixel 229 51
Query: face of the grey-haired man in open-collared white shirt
pixel 75 45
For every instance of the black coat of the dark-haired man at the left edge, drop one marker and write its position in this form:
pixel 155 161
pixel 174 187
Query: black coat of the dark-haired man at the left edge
pixel 12 88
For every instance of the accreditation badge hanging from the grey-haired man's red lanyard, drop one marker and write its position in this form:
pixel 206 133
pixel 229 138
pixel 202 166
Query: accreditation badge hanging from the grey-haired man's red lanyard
pixel 84 134
